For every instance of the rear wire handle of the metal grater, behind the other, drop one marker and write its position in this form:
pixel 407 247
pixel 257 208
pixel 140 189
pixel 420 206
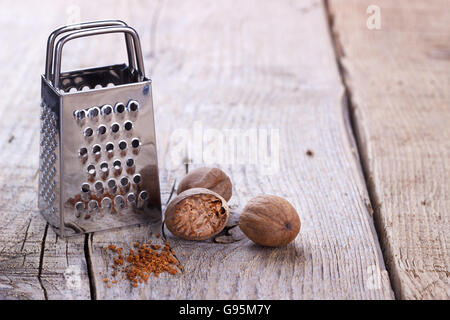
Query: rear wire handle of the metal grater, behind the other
pixel 79 26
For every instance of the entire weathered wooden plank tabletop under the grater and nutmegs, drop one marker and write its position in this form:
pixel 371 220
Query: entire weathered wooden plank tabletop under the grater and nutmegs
pixel 363 121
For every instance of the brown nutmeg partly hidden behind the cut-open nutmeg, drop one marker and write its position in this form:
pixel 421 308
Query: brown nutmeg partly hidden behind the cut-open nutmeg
pixel 210 178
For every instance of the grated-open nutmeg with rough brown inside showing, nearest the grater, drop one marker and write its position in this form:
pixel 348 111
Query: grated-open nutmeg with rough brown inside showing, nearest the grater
pixel 197 214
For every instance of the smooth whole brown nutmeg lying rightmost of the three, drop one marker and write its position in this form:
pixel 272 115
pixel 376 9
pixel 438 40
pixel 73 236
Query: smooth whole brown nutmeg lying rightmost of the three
pixel 269 221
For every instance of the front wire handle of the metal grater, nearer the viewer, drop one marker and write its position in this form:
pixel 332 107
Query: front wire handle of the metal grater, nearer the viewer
pixel 97 31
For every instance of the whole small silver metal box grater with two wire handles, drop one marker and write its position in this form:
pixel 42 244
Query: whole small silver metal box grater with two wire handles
pixel 98 160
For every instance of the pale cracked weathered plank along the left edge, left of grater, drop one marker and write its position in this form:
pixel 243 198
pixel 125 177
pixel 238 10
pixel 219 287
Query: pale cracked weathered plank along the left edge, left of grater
pixel 25 271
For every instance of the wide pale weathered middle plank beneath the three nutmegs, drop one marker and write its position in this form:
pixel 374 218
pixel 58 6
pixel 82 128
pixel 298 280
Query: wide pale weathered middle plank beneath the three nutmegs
pixel 257 65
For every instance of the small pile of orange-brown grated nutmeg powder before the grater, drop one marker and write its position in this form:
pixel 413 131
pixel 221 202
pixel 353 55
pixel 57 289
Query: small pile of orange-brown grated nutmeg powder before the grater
pixel 145 260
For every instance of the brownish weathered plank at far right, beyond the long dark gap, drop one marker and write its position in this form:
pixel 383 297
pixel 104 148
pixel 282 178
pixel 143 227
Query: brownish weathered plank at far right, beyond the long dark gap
pixel 399 81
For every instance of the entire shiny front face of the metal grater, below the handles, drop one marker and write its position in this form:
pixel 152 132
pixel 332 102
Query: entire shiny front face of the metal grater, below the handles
pixel 110 156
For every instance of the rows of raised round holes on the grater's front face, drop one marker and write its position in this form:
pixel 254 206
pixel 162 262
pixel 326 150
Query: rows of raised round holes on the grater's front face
pixel 108 142
